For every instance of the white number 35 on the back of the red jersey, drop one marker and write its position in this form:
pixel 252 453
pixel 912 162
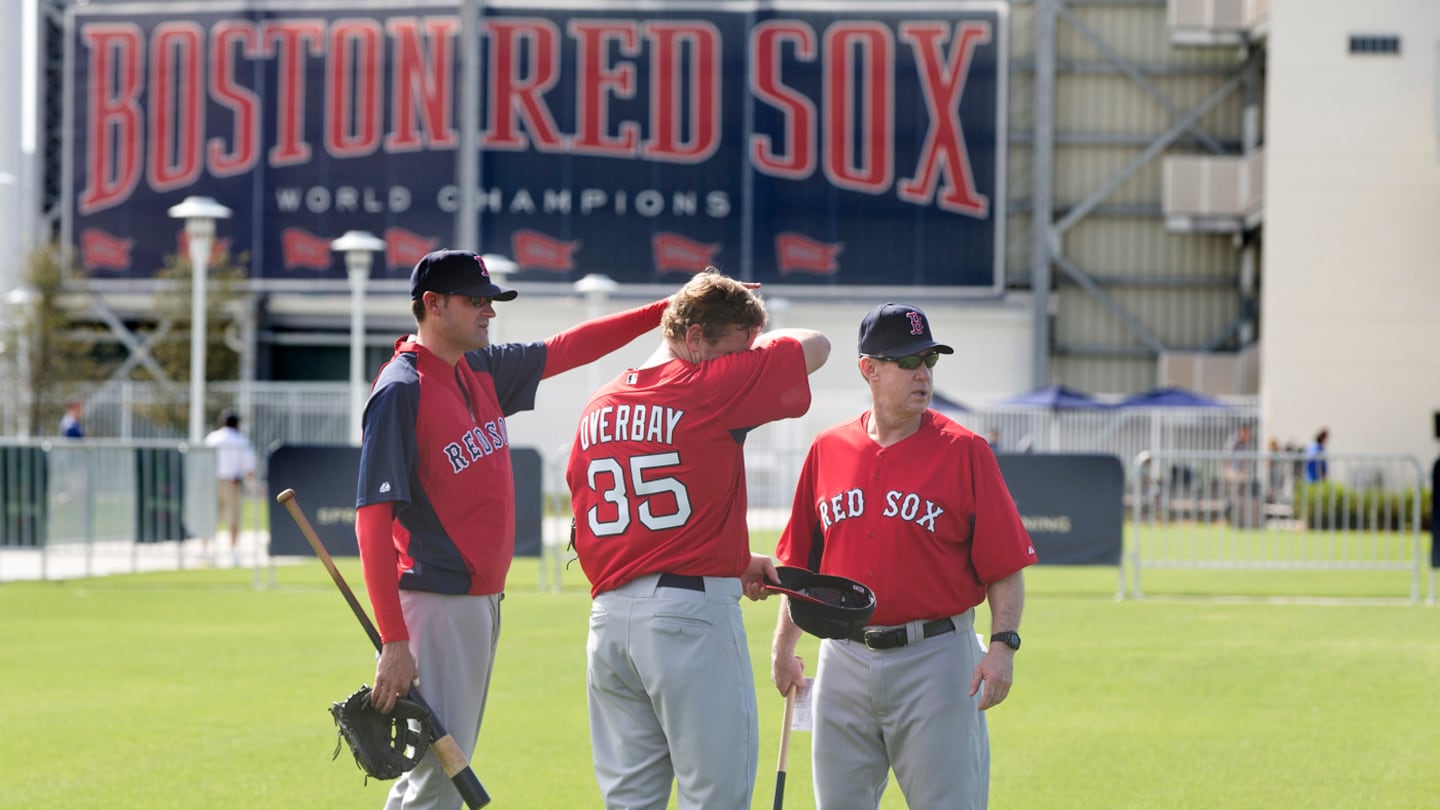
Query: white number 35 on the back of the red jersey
pixel 644 491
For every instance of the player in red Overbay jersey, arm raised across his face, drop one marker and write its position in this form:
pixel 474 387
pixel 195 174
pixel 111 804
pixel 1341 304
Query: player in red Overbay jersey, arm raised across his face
pixel 657 478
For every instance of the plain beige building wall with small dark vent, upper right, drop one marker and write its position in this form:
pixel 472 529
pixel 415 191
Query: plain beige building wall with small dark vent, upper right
pixel 1351 264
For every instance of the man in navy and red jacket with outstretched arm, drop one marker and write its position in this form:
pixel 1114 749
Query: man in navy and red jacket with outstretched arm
pixel 436 515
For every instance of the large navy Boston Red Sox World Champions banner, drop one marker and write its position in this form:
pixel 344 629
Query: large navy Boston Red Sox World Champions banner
pixel 796 143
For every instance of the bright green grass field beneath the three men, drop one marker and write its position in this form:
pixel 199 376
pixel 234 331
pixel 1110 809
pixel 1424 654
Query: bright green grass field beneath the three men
pixel 192 690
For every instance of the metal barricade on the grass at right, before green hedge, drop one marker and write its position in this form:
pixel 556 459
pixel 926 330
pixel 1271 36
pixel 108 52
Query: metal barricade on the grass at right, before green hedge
pixel 1256 511
